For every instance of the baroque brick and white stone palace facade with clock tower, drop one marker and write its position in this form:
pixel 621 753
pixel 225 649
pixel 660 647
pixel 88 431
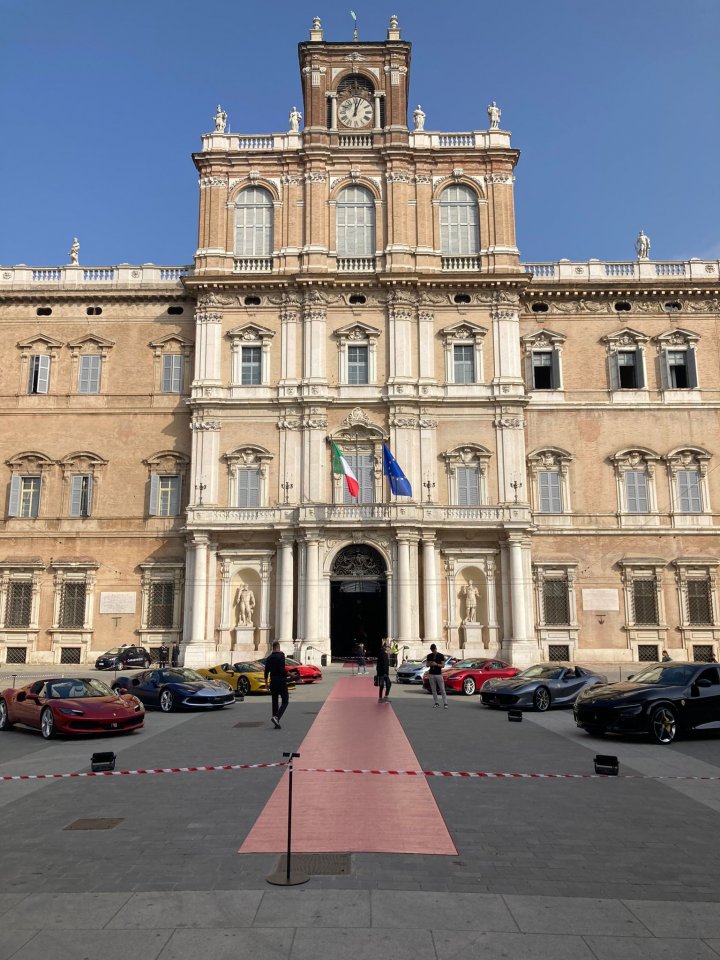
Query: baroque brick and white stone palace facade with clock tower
pixel 167 432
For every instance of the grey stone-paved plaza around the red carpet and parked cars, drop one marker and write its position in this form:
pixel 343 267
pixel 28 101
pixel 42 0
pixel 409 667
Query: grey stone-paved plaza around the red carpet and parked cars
pixel 587 868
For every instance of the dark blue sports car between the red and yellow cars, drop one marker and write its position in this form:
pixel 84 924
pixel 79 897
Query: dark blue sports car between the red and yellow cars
pixel 176 687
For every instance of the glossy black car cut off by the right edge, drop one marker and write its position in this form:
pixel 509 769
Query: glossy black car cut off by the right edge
pixel 662 700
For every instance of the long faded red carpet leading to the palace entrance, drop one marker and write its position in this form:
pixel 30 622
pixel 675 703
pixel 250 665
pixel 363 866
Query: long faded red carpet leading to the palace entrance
pixel 353 812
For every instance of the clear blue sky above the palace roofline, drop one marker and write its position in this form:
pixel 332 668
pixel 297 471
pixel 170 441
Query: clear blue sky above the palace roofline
pixel 613 104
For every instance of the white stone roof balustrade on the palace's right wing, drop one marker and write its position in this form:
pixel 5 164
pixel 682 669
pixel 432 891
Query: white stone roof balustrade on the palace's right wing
pixel 624 271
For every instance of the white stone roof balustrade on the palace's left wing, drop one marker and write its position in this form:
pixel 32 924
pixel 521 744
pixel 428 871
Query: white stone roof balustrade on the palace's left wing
pixel 73 276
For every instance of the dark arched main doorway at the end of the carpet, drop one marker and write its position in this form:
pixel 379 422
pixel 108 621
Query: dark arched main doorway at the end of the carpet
pixel 358 600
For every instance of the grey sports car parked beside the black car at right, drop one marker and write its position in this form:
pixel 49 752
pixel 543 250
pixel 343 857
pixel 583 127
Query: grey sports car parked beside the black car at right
pixel 541 686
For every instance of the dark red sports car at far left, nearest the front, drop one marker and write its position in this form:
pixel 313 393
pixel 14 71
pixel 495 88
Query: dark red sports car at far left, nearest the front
pixel 70 705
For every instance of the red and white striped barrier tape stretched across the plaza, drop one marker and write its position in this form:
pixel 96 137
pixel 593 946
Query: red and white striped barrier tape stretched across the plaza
pixel 472 774
